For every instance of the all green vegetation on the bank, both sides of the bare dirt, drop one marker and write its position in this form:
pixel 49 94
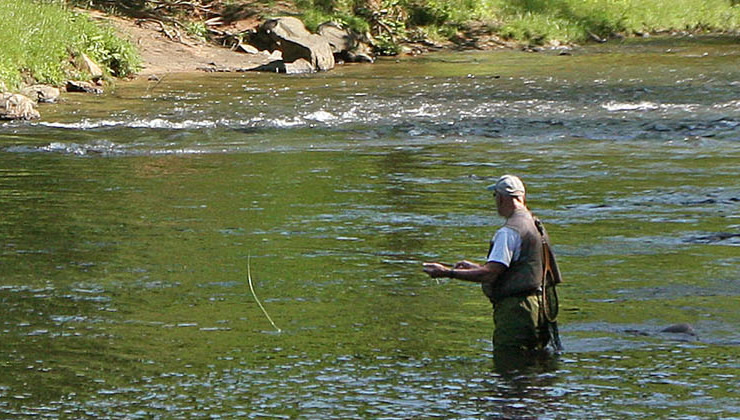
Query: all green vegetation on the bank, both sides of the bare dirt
pixel 42 39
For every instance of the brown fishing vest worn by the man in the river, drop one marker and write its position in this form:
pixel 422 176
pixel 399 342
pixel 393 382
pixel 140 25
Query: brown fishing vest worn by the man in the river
pixel 524 276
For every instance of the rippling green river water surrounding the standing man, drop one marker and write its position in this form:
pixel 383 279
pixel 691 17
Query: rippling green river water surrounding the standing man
pixel 132 222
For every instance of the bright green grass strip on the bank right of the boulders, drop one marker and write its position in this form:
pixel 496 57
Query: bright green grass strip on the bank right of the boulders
pixel 532 21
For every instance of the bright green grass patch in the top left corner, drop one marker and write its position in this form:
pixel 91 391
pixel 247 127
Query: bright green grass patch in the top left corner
pixel 41 39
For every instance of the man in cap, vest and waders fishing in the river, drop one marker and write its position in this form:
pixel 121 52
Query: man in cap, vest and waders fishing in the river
pixel 519 268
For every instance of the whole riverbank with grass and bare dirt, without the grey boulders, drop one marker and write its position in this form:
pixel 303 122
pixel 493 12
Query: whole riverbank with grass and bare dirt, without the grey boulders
pixel 150 42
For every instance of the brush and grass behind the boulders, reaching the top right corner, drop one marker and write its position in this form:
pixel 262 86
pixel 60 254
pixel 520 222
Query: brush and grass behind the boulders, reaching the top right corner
pixel 396 21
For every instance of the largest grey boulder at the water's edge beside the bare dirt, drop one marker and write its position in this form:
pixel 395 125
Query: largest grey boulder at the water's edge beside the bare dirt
pixel 290 36
